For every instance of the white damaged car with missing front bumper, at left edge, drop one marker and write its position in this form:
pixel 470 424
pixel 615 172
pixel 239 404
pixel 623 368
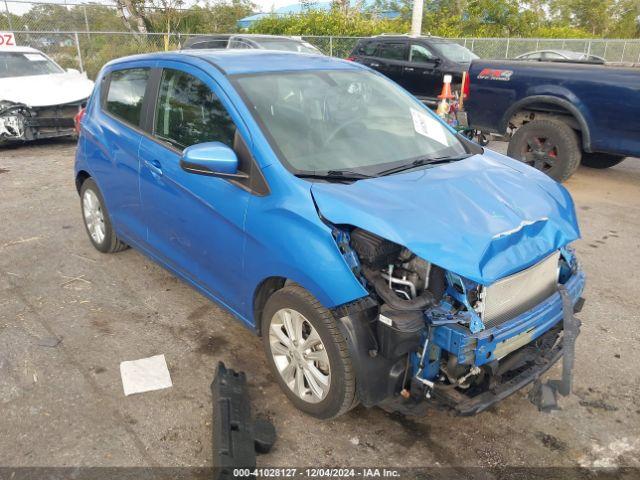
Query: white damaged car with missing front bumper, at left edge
pixel 38 98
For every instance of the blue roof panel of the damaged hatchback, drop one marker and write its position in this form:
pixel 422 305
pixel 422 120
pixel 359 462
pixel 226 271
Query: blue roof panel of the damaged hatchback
pixel 238 62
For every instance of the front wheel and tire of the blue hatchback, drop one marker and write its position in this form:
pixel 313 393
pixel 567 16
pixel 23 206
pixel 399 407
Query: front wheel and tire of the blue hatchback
pixel 326 357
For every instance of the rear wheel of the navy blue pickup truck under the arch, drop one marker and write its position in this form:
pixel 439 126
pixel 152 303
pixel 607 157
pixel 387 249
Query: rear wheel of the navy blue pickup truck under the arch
pixel 551 146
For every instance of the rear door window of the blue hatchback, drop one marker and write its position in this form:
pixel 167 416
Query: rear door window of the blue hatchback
pixel 126 93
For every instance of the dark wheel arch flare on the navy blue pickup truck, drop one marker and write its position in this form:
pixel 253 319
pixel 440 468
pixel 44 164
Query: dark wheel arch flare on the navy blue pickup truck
pixel 555 106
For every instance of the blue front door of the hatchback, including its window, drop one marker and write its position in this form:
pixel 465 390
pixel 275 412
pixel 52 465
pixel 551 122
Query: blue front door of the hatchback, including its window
pixel 195 222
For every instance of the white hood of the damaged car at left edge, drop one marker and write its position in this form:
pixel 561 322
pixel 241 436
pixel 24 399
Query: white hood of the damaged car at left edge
pixel 46 90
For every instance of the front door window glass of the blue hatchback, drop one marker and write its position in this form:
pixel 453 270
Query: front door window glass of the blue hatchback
pixel 188 112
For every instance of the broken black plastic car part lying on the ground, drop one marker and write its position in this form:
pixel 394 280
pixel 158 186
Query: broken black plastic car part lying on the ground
pixel 236 437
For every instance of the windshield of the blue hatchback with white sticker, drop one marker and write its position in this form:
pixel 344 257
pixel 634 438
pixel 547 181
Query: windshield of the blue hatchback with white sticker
pixel 322 121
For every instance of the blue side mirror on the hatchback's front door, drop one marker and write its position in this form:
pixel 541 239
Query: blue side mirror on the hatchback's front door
pixel 214 159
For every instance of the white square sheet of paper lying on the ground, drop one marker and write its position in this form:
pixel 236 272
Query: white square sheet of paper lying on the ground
pixel 145 375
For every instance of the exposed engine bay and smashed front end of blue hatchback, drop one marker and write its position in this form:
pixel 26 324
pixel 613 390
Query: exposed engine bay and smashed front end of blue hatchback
pixel 450 337
